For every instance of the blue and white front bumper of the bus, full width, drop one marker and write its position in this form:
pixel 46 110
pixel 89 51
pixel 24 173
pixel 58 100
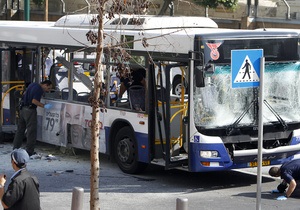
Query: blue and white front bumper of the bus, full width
pixel 240 159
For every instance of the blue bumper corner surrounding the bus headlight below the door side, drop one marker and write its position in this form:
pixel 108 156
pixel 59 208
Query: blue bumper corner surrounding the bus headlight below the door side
pixel 195 159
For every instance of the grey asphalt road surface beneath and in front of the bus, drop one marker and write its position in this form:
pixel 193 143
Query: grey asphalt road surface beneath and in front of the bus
pixel 154 189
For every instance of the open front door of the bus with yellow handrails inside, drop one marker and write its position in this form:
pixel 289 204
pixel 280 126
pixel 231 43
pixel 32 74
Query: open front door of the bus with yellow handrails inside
pixel 170 112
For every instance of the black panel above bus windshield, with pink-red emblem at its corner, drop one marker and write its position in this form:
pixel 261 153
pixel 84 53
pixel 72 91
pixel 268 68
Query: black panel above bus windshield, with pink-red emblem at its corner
pixel 281 49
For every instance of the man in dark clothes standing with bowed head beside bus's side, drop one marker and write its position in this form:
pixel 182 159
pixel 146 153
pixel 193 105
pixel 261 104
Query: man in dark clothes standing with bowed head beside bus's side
pixel 28 114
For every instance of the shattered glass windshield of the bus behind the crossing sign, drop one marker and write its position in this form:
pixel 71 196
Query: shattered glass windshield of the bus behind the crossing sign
pixel 219 105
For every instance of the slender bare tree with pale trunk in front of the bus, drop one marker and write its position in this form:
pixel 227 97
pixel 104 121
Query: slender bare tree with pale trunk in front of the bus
pixel 108 9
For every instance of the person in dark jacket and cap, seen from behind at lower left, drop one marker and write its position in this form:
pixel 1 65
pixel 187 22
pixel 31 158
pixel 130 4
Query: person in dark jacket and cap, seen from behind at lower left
pixel 23 191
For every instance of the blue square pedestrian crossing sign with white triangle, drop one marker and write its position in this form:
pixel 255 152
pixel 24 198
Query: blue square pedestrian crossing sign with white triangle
pixel 245 68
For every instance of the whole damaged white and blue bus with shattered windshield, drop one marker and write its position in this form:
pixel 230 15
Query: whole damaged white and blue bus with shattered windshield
pixel 206 127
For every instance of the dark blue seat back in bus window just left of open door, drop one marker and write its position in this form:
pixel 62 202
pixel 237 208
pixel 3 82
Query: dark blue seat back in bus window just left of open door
pixel 137 97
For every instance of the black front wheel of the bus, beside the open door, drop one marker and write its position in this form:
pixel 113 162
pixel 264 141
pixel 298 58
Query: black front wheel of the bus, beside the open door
pixel 126 152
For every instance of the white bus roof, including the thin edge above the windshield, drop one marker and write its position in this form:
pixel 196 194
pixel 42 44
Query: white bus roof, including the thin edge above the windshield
pixel 163 34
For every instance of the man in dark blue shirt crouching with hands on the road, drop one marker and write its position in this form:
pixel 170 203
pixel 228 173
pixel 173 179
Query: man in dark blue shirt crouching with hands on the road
pixel 290 173
